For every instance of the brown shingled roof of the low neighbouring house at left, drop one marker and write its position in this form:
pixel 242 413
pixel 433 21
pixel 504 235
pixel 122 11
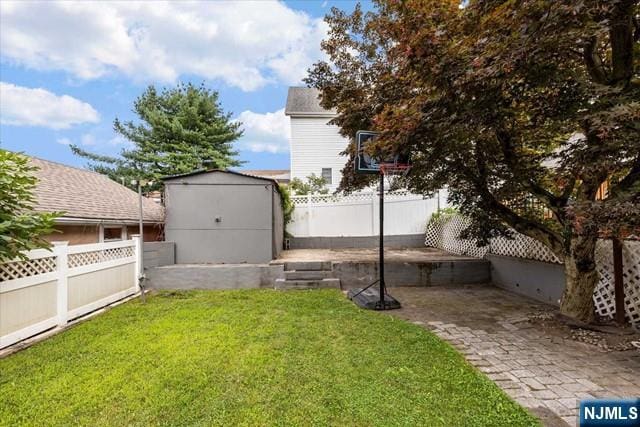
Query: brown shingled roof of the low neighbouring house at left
pixel 83 194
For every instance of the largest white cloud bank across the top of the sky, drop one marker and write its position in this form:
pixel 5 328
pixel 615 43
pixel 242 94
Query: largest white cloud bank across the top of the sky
pixel 245 44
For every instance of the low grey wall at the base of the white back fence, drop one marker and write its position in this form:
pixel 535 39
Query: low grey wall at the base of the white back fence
pixel 397 241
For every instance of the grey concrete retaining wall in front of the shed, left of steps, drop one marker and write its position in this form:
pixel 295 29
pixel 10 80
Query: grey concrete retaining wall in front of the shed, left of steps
pixel 216 276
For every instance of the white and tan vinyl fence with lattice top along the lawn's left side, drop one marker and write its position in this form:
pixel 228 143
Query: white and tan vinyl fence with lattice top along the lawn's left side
pixel 54 286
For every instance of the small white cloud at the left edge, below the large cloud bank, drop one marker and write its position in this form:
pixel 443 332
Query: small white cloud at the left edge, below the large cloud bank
pixel 23 106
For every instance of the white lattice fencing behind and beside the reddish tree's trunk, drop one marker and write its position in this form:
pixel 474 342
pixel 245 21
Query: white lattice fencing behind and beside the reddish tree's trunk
pixel 444 233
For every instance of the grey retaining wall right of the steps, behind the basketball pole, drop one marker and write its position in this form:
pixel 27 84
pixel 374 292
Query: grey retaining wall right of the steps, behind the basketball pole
pixel 359 274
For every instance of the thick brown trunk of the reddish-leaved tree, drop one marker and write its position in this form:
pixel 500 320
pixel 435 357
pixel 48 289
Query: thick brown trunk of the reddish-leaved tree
pixel 581 279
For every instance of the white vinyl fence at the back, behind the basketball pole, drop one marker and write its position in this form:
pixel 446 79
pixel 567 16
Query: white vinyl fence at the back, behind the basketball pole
pixel 357 214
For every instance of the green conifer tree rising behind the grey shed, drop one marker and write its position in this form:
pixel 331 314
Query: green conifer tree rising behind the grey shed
pixel 180 130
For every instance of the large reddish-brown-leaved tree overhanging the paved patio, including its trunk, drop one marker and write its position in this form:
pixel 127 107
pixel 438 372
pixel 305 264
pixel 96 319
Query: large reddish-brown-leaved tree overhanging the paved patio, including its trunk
pixel 506 103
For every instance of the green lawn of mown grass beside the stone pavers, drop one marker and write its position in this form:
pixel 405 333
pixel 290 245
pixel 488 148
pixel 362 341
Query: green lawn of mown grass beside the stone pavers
pixel 254 357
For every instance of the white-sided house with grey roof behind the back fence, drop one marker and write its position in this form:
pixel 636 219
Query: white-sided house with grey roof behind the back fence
pixel 315 144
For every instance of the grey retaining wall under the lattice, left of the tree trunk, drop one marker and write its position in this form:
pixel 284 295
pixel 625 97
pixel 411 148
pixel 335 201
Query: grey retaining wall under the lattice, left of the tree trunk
pixel 541 281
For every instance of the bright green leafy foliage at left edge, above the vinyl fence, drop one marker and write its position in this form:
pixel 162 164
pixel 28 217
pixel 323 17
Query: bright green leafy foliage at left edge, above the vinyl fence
pixel 20 228
